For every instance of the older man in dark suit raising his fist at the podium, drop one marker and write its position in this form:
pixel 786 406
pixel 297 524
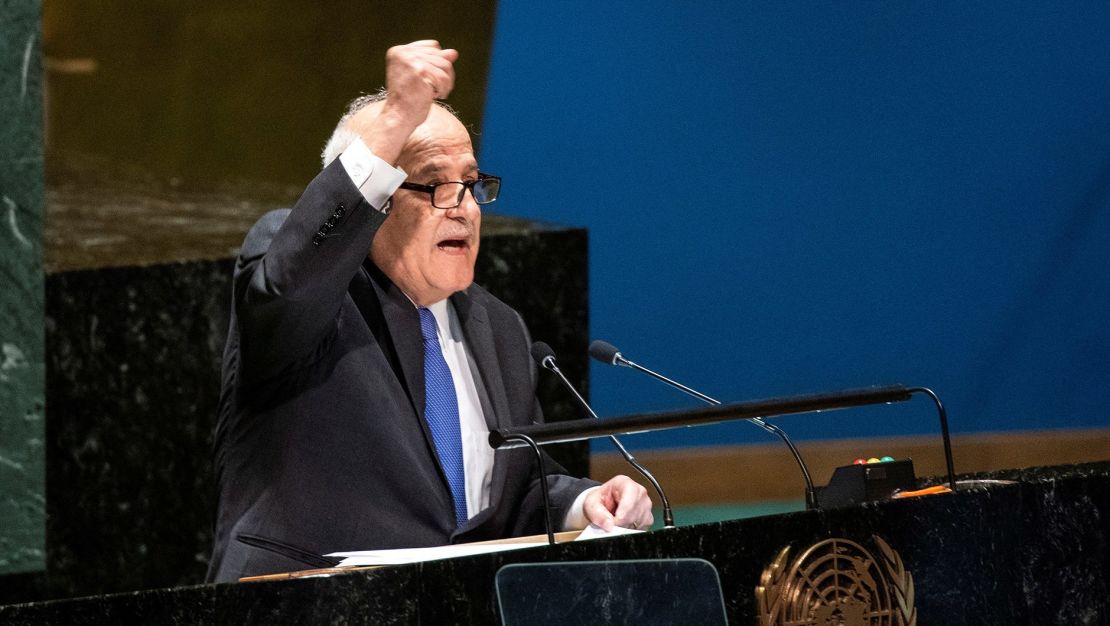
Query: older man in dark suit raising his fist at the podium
pixel 359 390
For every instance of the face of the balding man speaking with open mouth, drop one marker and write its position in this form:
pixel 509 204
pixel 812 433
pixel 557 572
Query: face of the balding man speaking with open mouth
pixel 430 253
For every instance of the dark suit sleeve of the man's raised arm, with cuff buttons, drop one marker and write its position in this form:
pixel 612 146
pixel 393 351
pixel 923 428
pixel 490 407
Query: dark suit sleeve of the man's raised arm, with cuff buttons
pixel 295 269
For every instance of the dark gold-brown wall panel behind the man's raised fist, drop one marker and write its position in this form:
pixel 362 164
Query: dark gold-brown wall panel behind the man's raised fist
pixel 204 93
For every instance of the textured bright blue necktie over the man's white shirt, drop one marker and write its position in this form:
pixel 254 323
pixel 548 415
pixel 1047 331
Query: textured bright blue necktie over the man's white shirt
pixel 441 410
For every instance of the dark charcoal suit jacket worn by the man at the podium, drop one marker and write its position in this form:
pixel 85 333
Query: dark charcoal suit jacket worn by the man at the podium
pixel 321 443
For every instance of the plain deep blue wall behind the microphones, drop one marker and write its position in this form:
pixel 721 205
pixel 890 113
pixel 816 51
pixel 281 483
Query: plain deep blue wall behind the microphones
pixel 799 198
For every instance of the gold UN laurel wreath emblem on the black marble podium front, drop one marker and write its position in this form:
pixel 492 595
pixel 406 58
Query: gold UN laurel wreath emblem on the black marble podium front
pixel 837 582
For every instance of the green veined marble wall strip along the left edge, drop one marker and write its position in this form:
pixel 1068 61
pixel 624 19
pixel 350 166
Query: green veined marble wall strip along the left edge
pixel 23 488
